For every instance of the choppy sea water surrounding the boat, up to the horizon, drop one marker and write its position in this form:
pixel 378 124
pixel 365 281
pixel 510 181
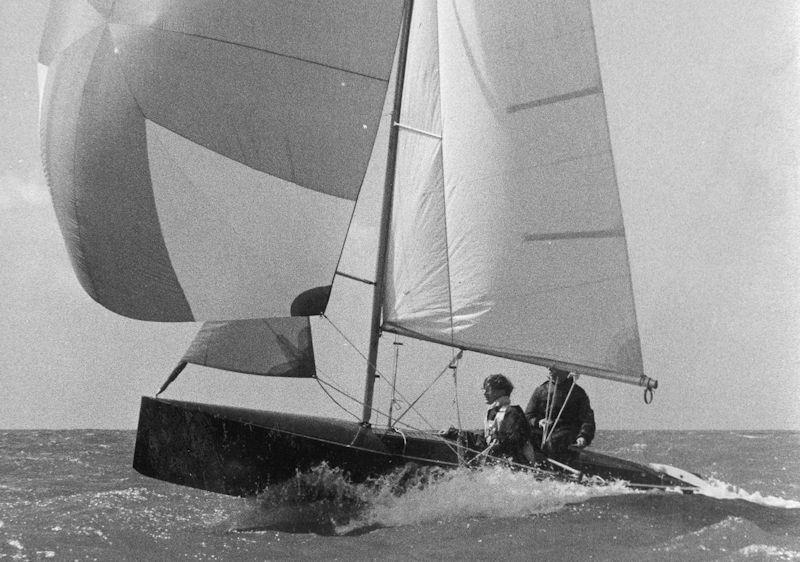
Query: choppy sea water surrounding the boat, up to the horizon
pixel 72 495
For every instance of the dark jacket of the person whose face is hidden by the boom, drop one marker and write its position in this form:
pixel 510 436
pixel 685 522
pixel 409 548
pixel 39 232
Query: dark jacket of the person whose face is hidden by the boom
pixel 577 419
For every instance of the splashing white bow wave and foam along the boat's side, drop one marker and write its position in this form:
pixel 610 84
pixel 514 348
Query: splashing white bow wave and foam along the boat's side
pixel 324 501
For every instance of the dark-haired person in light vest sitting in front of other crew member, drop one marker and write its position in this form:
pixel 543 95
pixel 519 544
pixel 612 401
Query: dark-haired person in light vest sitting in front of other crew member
pixel 506 430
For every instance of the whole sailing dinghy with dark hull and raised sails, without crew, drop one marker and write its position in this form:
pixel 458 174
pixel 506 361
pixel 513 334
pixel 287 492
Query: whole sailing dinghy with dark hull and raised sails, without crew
pixel 205 160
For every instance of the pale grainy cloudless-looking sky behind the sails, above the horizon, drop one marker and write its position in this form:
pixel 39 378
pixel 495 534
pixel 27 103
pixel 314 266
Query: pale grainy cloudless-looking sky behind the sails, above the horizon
pixel 704 121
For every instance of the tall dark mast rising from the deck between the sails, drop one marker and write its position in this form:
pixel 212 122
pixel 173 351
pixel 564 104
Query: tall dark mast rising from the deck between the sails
pixel 386 215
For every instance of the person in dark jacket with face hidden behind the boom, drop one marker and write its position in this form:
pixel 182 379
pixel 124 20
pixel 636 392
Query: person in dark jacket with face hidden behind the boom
pixel 560 414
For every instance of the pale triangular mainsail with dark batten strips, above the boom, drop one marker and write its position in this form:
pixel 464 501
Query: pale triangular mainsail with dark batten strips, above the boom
pixel 507 233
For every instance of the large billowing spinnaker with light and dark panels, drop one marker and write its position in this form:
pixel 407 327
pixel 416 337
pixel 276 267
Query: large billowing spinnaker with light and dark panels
pixel 205 156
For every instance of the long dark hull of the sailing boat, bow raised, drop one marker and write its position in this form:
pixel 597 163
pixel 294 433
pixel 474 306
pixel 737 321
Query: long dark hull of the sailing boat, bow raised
pixel 240 452
